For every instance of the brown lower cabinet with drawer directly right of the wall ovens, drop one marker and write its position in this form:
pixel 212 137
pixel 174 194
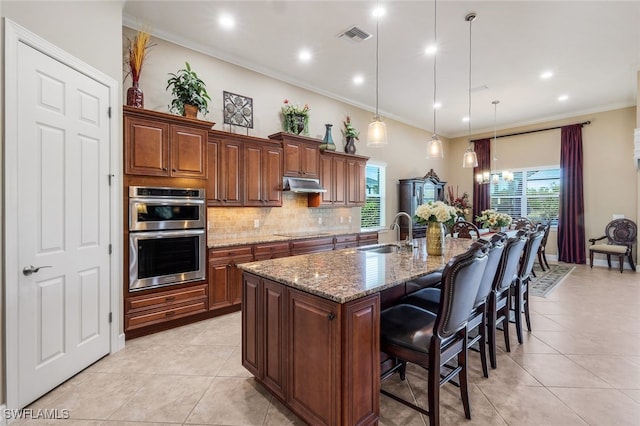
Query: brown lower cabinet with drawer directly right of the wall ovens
pixel 225 279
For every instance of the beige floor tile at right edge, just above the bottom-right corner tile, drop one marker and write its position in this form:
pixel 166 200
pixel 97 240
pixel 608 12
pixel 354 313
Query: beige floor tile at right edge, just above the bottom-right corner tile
pixel 618 371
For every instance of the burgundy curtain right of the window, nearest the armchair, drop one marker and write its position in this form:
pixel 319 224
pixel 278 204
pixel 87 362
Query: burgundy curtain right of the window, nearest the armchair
pixel 571 234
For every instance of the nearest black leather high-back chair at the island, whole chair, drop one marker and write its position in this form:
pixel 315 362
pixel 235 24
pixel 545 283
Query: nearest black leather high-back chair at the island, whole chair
pixel 432 340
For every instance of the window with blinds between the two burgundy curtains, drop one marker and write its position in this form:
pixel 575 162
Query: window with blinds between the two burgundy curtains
pixel 533 193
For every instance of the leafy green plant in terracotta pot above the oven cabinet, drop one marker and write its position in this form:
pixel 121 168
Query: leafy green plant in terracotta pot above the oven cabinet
pixel 189 93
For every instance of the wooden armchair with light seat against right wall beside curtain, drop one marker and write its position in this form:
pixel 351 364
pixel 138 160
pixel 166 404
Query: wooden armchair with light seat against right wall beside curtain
pixel 620 234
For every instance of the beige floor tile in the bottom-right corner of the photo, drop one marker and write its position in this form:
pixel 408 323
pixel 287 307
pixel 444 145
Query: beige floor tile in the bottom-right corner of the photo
pixel 601 406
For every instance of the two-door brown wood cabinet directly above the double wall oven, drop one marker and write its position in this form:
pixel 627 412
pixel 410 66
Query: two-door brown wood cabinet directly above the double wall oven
pixel 159 144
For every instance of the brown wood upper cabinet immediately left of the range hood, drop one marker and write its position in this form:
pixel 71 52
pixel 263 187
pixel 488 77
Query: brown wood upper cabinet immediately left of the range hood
pixel 262 175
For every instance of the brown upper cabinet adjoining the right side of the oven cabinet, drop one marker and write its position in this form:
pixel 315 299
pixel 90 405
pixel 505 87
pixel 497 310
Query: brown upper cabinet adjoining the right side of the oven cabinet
pixel 224 185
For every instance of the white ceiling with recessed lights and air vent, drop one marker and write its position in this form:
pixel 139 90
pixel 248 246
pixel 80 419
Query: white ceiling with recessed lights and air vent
pixel 592 47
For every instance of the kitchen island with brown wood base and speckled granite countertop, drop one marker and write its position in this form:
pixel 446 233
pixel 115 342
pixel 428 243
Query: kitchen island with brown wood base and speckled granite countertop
pixel 310 326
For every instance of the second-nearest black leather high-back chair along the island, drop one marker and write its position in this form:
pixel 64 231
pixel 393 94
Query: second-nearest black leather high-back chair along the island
pixel 429 299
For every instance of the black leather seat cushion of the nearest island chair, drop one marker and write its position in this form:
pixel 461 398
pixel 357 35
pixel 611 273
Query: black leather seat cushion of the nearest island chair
pixel 407 326
